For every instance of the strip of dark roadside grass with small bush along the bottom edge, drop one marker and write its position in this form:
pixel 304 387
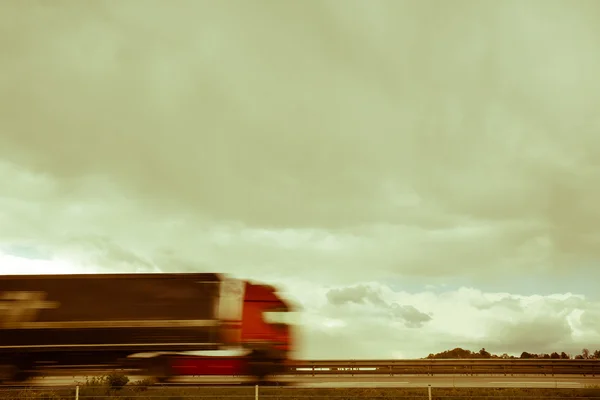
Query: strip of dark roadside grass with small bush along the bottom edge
pixel 117 387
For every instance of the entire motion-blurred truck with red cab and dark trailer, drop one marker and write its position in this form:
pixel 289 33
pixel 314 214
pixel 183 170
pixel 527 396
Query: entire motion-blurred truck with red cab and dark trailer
pixel 161 325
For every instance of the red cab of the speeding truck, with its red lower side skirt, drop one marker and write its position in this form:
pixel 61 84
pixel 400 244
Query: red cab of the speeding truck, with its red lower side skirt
pixel 257 329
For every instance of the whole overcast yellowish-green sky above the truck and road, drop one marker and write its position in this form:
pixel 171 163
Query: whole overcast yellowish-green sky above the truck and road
pixel 416 175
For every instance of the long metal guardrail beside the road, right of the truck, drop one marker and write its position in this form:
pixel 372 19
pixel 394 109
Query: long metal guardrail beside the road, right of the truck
pixel 446 366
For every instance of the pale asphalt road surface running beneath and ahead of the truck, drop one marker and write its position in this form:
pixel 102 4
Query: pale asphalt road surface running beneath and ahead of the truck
pixel 531 381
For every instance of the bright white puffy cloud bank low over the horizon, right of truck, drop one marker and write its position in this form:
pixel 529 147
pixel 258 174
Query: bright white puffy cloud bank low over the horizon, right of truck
pixel 454 318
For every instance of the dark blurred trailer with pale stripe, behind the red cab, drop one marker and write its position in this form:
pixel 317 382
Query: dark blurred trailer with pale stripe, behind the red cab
pixel 98 319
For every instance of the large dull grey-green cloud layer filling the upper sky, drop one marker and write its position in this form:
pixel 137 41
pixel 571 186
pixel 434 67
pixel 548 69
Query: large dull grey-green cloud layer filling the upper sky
pixel 241 139
